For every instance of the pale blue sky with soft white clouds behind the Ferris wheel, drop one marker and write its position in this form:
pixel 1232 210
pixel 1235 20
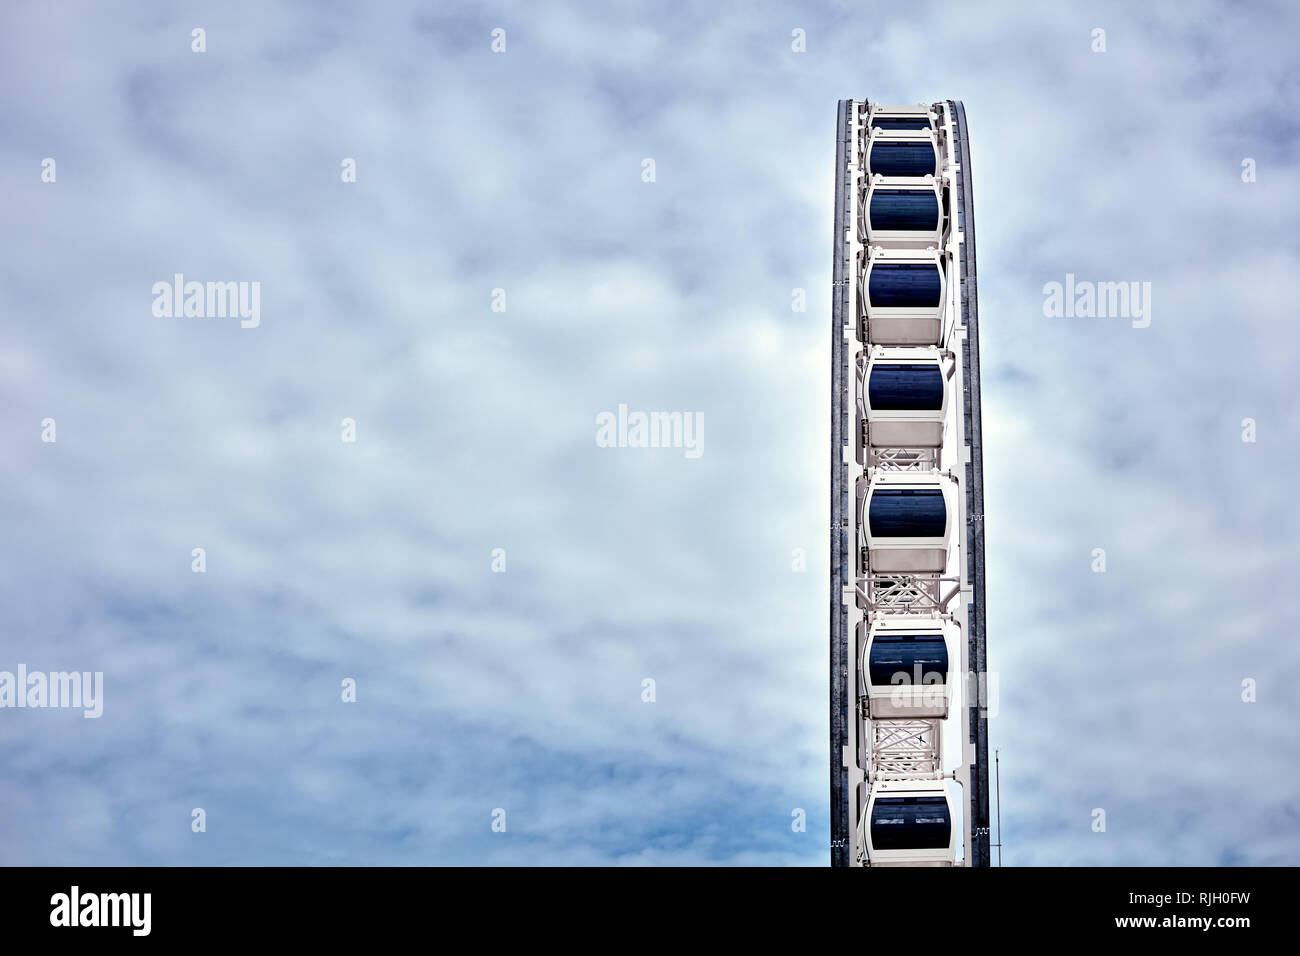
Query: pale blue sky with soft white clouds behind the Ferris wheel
pixel 522 171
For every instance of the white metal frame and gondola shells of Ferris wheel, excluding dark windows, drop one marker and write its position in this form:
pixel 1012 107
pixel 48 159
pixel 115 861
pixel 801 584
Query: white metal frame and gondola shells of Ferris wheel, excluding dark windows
pixel 896 746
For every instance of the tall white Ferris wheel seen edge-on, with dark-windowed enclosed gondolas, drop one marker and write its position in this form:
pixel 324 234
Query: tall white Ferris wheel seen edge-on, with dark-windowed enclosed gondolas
pixel 908 656
